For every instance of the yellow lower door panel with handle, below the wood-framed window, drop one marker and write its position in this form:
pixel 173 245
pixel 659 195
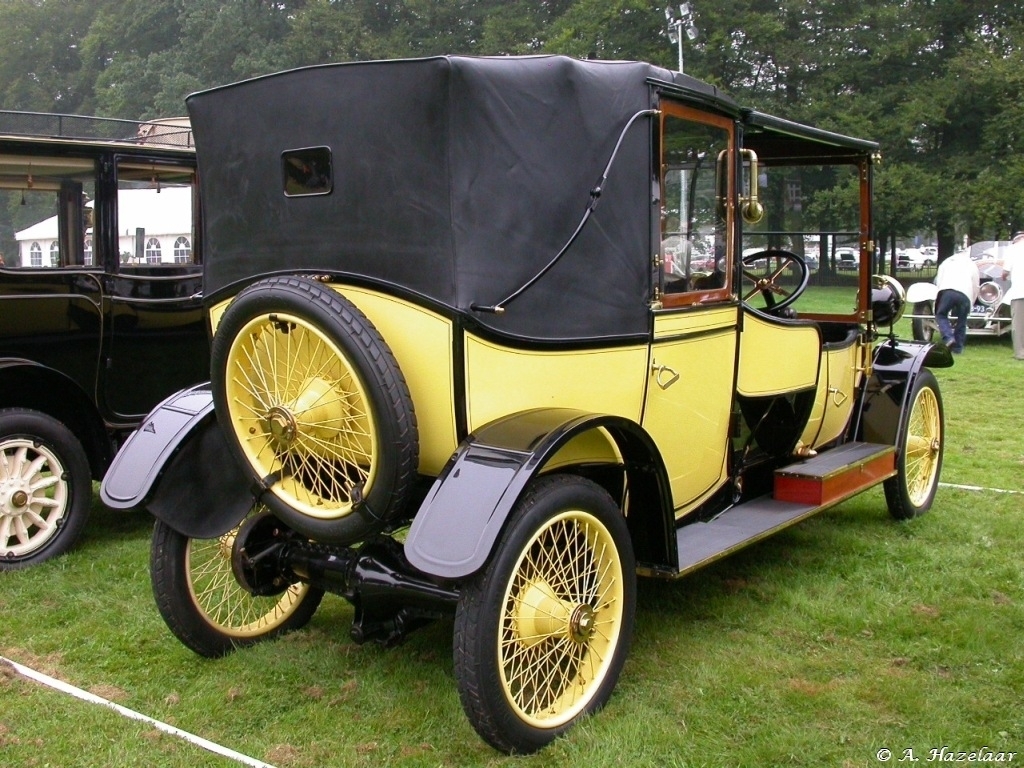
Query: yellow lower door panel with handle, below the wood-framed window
pixel 690 400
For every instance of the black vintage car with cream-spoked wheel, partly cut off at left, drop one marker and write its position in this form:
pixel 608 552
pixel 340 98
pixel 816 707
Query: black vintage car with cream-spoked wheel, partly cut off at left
pixel 101 310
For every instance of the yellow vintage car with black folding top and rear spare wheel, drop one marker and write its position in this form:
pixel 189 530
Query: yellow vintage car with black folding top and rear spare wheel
pixel 486 344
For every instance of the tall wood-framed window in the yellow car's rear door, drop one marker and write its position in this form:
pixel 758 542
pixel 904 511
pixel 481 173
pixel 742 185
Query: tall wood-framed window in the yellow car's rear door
pixel 696 205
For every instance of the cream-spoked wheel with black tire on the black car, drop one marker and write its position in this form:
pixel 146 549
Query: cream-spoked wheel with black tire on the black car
pixel 40 523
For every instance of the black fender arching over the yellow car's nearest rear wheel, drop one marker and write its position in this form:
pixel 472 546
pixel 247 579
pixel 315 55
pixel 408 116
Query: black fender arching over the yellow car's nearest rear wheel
pixel 456 527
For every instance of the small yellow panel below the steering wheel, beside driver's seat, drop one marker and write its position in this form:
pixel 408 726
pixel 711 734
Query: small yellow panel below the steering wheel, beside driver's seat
pixel 777 359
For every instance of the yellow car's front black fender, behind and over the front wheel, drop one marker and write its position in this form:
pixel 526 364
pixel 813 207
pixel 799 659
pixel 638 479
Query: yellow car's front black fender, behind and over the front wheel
pixel 895 367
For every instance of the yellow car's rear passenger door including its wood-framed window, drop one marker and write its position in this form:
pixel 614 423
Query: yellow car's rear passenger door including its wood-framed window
pixel 694 349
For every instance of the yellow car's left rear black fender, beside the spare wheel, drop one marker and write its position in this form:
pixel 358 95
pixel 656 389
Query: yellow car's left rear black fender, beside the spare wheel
pixel 178 466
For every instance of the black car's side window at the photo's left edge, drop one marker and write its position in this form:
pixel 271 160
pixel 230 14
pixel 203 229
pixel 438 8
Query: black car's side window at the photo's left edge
pixel 46 211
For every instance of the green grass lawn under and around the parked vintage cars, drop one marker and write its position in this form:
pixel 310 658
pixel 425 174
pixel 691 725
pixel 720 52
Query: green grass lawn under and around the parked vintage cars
pixel 844 635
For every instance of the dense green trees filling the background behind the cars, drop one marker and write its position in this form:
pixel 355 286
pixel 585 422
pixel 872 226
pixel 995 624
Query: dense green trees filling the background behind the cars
pixel 938 83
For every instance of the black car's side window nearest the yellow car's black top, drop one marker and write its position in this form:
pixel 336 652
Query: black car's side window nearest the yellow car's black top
pixel 155 215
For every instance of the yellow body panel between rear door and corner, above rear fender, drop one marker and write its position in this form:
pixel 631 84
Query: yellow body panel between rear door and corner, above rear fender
pixel 502 380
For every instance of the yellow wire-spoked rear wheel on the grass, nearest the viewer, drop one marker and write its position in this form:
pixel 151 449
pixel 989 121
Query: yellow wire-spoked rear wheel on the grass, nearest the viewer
pixel 547 624
